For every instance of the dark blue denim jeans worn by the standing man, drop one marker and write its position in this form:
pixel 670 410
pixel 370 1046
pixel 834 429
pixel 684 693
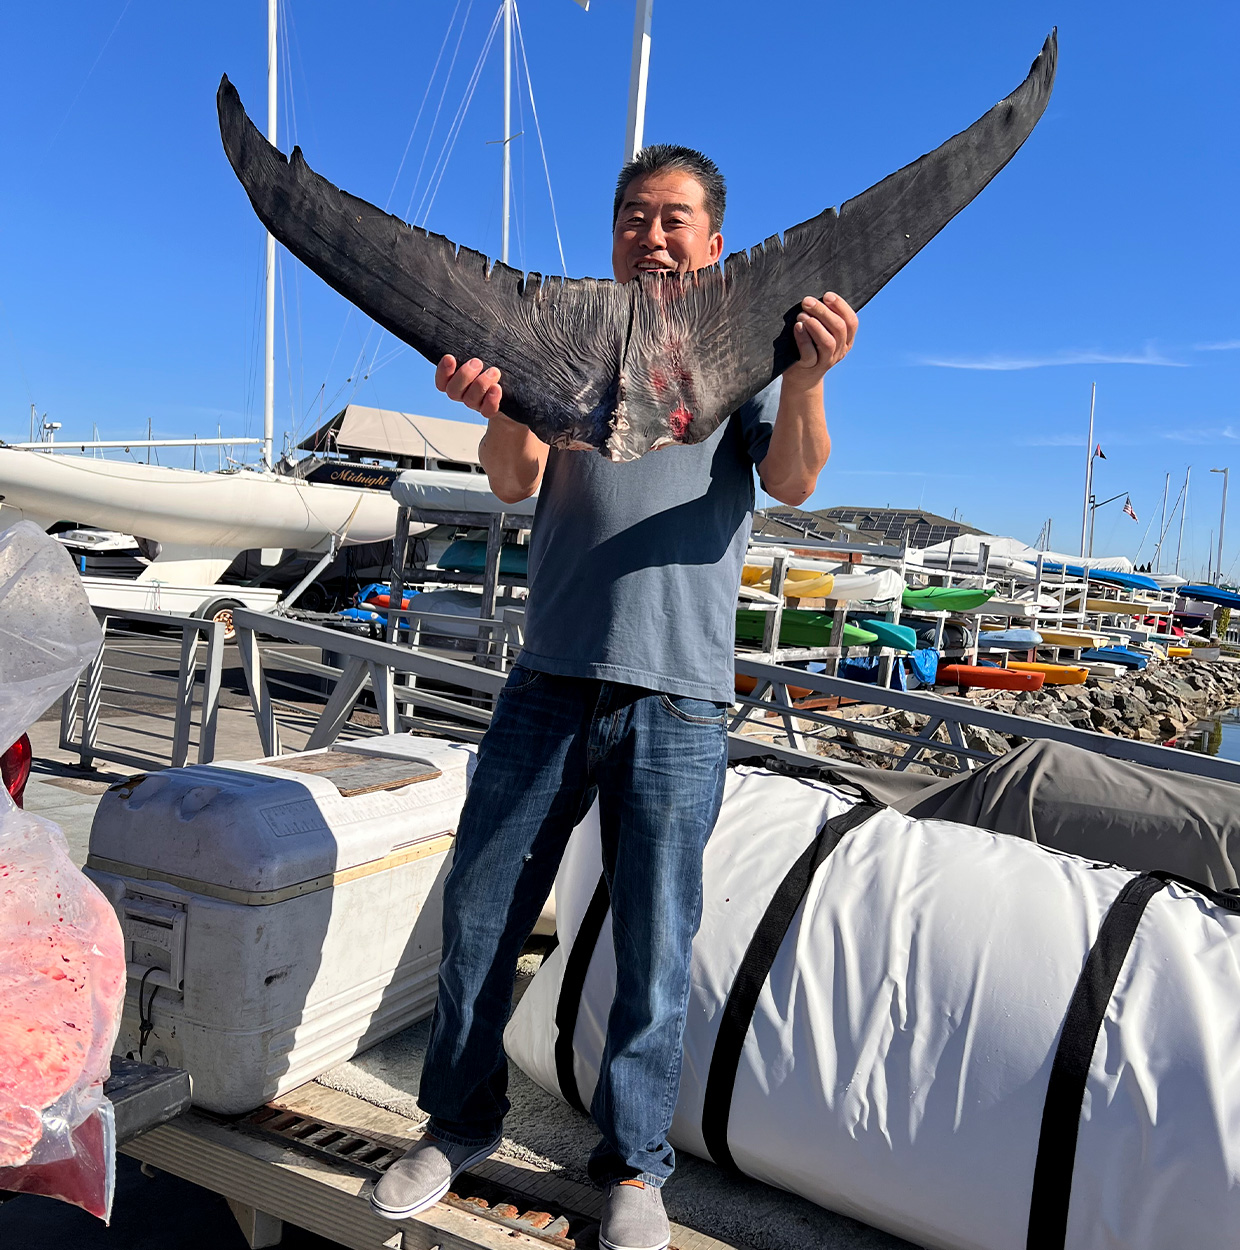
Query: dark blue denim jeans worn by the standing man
pixel 657 764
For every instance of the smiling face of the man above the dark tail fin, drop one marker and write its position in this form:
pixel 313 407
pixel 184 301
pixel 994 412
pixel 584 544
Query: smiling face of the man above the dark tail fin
pixel 663 226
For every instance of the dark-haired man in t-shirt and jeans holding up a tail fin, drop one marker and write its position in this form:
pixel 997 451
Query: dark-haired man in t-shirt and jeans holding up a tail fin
pixel 621 696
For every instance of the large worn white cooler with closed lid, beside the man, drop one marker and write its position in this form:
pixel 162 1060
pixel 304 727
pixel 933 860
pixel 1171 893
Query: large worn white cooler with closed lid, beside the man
pixel 283 916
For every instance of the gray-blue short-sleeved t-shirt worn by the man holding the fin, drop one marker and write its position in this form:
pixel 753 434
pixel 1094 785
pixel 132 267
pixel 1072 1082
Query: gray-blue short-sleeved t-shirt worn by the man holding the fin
pixel 634 567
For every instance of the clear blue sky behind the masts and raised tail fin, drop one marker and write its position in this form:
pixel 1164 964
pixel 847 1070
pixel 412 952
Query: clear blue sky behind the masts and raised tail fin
pixel 1107 252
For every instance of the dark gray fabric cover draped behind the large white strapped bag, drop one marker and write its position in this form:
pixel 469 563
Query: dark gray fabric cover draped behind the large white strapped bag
pixel 1086 804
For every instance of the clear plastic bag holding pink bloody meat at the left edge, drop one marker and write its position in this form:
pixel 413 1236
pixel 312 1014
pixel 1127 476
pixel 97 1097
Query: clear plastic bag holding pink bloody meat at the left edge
pixel 62 952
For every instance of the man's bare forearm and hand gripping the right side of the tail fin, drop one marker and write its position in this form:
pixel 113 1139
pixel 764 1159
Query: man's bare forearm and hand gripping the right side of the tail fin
pixel 801 443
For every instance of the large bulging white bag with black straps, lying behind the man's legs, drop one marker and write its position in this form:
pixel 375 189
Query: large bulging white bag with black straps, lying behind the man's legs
pixel 952 1034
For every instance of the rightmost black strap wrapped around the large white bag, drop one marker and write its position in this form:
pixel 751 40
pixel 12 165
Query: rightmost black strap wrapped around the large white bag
pixel 1069 1073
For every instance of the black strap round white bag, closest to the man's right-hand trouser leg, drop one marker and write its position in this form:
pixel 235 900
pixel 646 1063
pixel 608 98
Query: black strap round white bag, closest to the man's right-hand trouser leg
pixel 752 977
